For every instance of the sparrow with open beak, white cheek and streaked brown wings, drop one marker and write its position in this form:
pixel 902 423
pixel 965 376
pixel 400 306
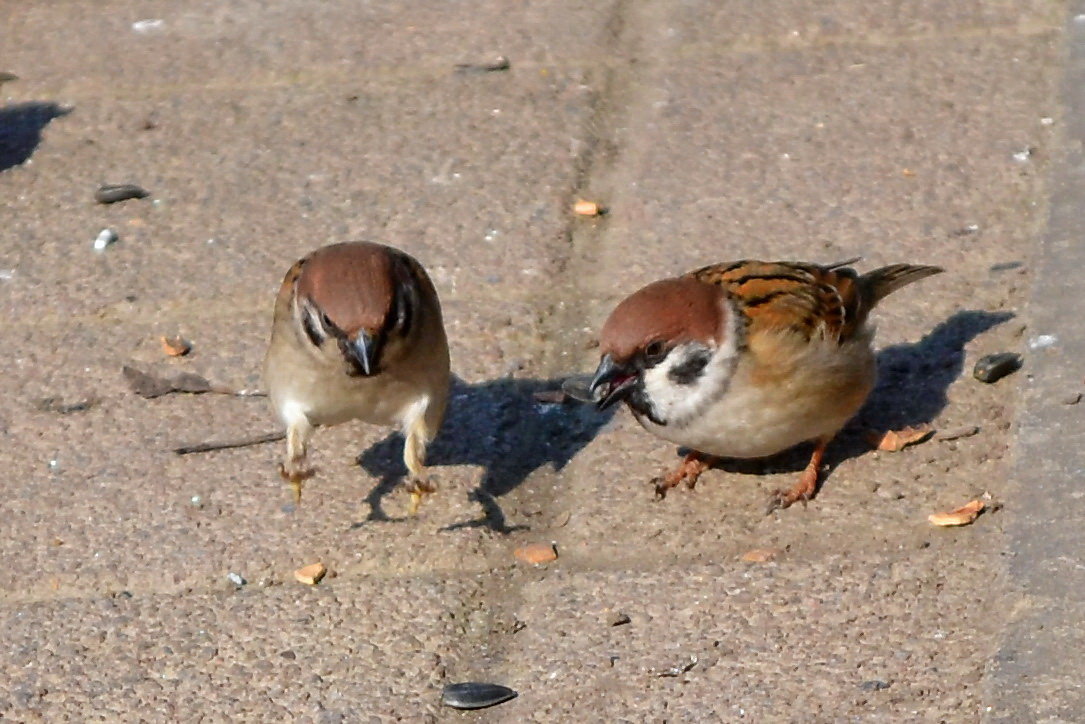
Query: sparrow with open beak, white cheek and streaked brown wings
pixel 746 360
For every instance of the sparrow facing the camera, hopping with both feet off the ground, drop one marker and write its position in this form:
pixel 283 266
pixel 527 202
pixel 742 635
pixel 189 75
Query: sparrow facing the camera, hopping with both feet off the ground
pixel 359 336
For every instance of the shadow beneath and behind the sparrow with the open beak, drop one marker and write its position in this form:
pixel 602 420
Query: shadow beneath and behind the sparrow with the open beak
pixel 913 383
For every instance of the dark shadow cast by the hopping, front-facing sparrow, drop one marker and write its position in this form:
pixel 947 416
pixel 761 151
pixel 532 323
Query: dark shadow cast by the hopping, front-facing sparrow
pixel 500 426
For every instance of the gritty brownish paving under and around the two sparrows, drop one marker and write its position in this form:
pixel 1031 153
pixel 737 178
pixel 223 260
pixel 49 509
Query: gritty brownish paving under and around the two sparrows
pixel 899 132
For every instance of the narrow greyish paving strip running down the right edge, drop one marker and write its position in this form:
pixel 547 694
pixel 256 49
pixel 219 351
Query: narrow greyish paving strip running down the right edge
pixel 1036 676
